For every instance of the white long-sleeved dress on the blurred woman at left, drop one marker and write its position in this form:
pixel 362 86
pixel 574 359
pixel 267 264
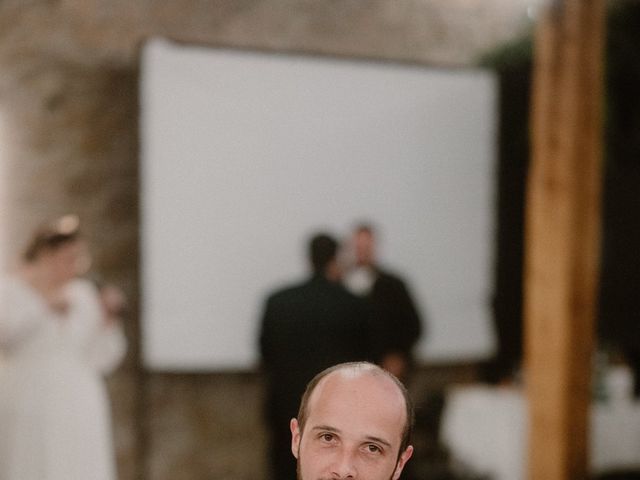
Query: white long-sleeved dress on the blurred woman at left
pixel 55 421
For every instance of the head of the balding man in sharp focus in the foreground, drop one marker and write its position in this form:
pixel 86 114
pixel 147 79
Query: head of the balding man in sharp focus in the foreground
pixel 355 421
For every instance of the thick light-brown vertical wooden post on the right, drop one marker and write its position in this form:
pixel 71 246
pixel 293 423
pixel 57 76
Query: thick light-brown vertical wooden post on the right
pixel 562 236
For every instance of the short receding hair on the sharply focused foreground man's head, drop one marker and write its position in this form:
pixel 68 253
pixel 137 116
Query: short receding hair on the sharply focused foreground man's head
pixel 372 369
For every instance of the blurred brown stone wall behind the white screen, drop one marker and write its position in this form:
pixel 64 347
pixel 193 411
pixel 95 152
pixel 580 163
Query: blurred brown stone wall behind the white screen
pixel 69 142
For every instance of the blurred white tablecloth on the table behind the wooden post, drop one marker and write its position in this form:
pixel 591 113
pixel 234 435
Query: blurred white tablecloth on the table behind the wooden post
pixel 486 430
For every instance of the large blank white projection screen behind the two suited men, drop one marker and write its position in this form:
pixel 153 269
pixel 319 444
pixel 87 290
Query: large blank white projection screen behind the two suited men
pixel 246 154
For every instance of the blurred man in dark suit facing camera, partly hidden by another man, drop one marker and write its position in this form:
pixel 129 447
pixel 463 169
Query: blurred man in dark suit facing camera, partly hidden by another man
pixel 398 322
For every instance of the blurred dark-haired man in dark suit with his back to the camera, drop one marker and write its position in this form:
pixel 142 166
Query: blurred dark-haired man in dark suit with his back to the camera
pixel 305 329
